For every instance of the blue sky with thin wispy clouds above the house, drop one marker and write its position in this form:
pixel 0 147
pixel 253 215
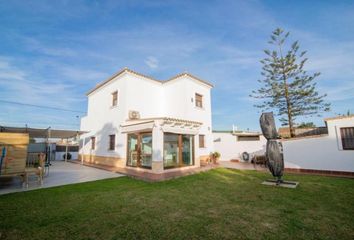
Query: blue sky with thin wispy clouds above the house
pixel 53 52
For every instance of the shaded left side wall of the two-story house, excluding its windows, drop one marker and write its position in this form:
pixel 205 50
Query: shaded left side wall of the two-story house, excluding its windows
pixel 103 120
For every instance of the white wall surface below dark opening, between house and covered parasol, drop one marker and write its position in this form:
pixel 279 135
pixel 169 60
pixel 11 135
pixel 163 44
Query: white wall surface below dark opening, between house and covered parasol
pixel 231 149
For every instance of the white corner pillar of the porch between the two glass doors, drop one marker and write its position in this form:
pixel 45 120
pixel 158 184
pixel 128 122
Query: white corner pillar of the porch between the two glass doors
pixel 157 149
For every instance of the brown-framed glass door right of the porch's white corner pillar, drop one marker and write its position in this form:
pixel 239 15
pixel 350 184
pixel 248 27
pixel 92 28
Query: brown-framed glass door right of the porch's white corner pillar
pixel 178 150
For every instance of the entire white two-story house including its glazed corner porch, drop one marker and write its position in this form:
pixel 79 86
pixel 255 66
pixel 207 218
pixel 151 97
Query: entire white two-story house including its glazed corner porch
pixel 137 122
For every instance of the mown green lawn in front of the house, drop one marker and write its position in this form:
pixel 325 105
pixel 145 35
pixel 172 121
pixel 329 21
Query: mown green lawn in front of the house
pixel 219 204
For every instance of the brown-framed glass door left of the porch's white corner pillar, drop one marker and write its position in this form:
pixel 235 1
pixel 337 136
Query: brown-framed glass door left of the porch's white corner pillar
pixel 139 152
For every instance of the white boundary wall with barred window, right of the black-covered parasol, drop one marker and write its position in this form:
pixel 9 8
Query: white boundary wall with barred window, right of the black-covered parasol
pixel 321 153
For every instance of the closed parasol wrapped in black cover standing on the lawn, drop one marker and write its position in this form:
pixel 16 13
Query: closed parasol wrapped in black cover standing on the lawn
pixel 274 155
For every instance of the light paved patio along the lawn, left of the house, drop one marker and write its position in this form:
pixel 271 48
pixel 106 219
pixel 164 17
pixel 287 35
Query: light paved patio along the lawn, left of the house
pixel 61 173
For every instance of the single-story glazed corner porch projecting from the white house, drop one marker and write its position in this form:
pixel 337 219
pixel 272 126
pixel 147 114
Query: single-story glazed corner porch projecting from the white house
pixel 161 145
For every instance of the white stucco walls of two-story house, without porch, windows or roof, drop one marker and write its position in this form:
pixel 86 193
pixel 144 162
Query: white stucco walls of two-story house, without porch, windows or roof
pixel 151 99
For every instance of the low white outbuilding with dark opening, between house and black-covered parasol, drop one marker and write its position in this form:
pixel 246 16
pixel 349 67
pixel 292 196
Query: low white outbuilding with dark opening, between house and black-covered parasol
pixel 232 144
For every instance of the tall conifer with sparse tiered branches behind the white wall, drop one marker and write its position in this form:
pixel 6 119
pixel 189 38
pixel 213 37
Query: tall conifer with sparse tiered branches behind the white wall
pixel 287 87
